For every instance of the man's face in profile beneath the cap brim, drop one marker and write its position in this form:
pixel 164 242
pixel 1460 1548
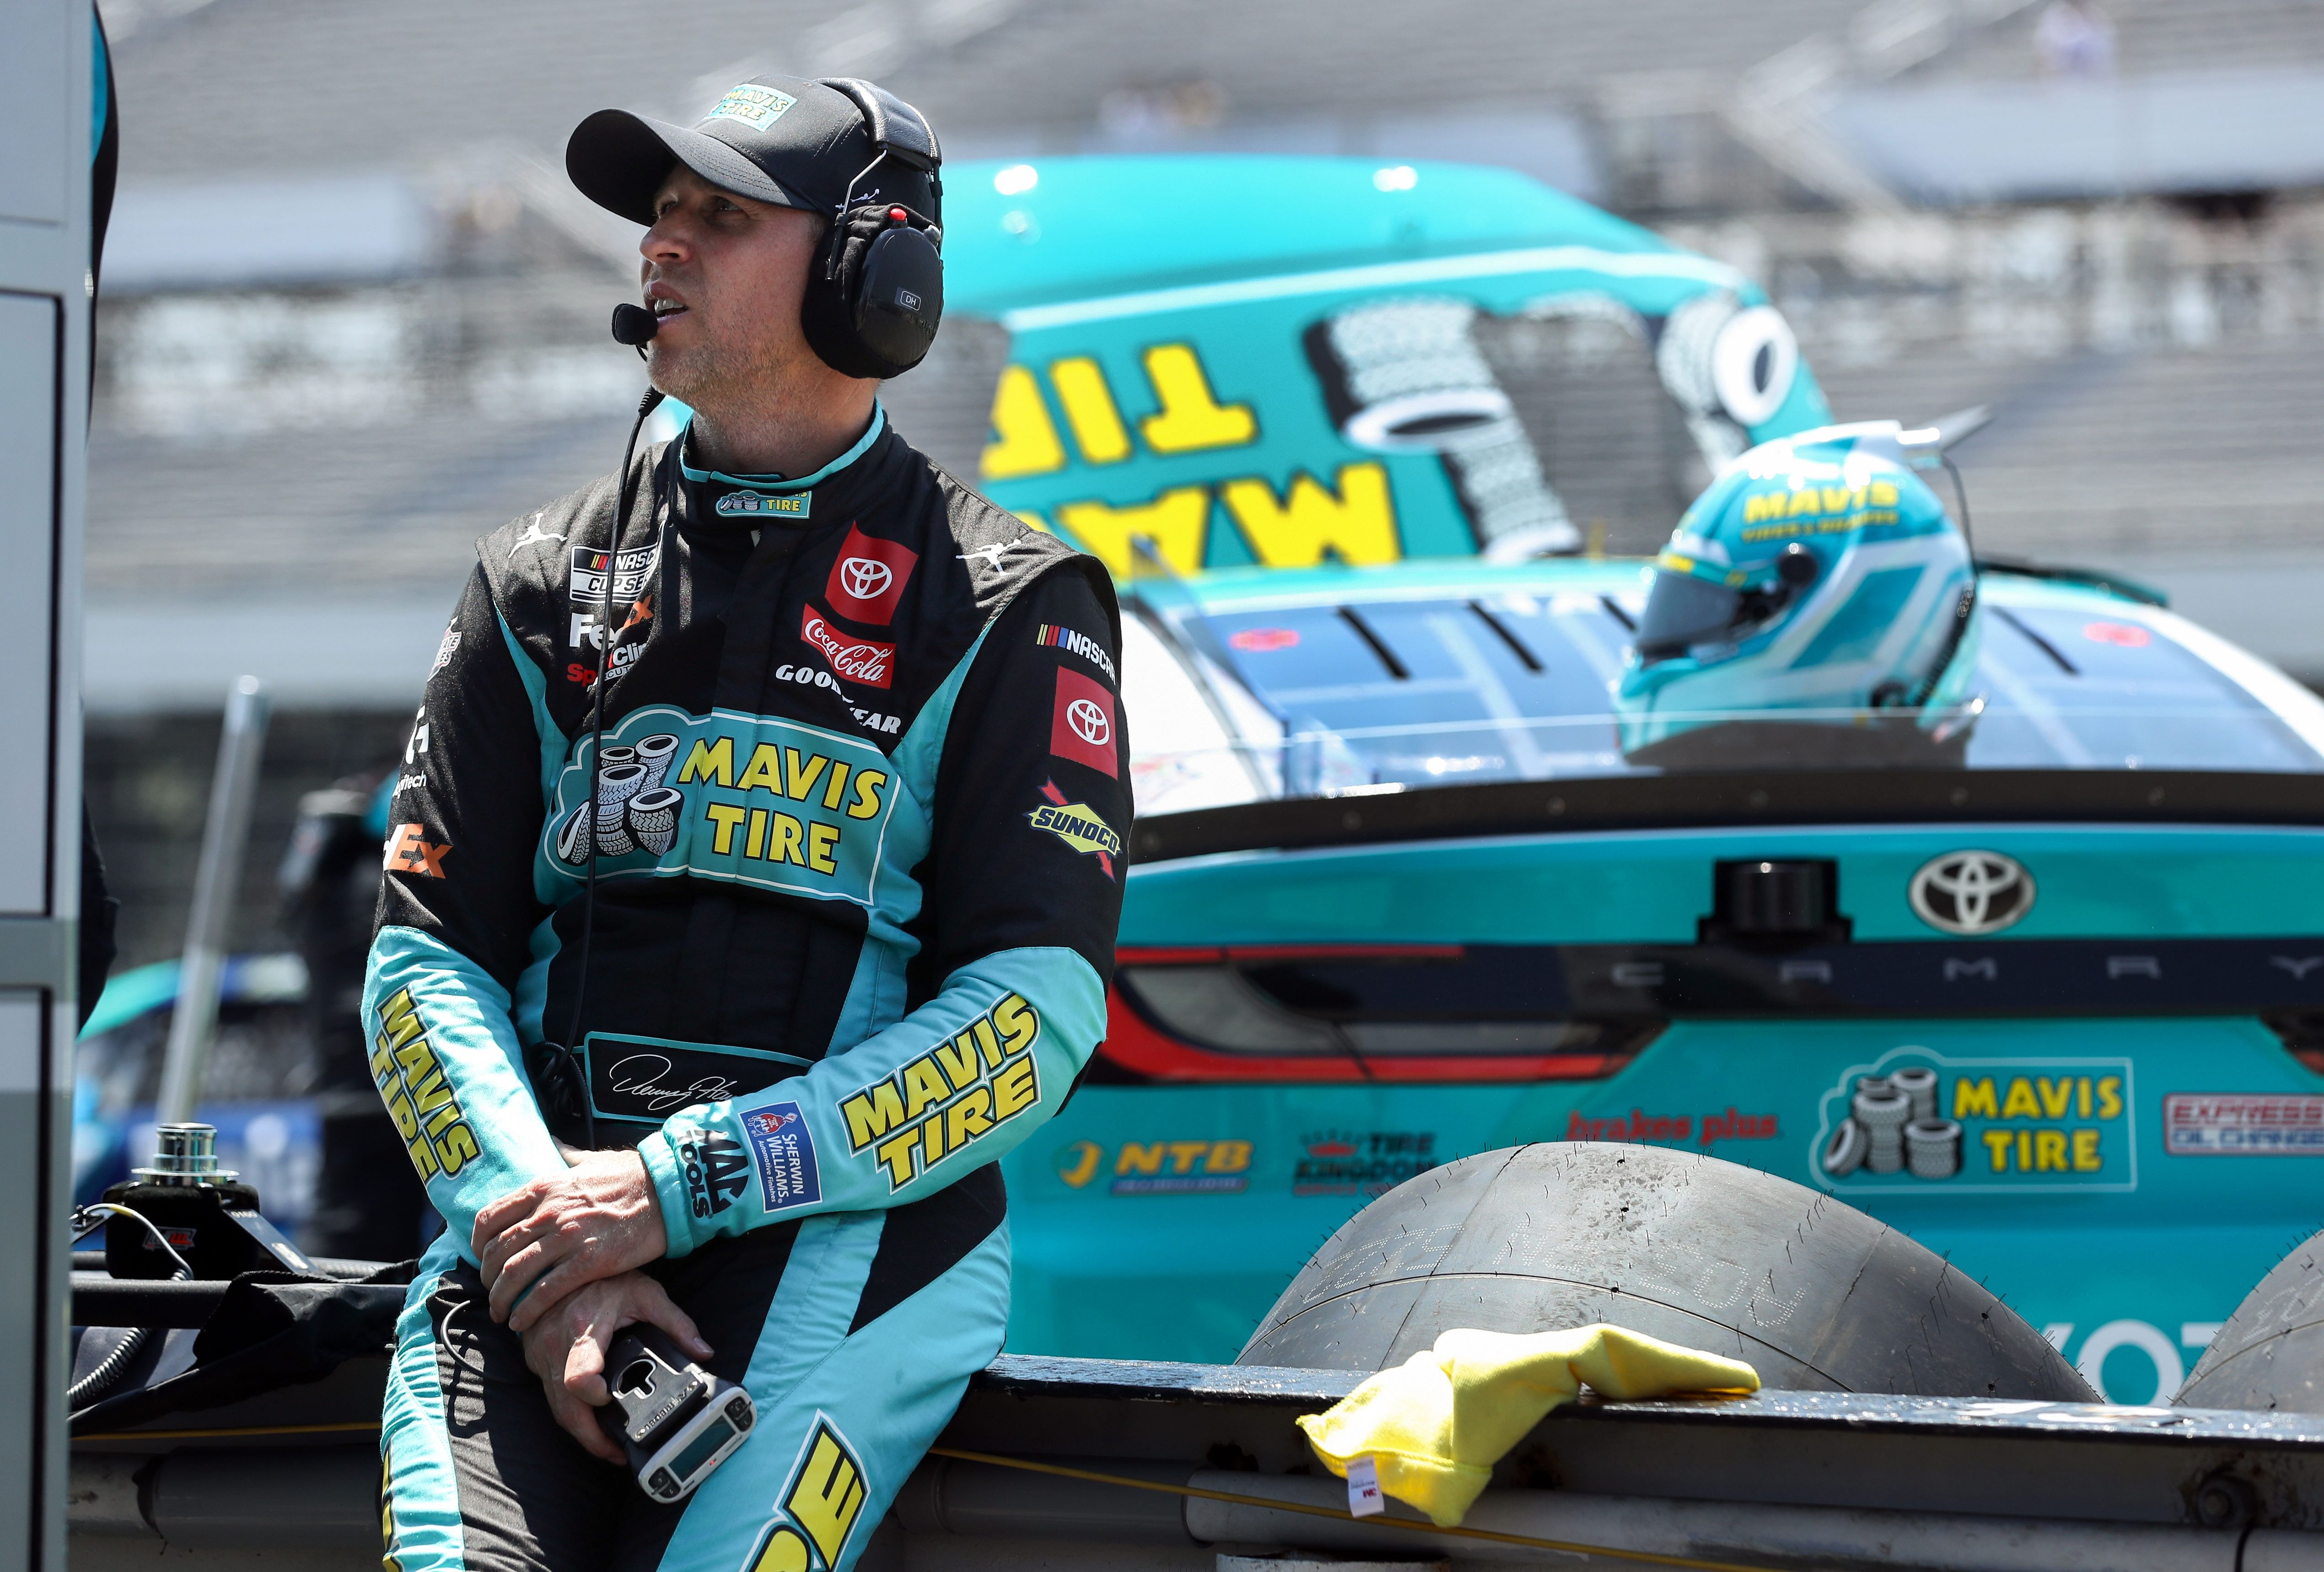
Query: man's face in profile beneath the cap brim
pixel 724 278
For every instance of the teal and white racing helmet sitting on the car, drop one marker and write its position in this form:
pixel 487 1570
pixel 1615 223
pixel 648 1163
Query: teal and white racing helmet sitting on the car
pixel 1816 606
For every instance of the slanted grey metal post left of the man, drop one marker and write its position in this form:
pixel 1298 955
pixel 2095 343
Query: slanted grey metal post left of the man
pixel 231 796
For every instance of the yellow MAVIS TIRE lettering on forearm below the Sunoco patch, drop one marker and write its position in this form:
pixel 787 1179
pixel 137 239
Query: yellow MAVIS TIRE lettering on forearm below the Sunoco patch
pixel 952 1096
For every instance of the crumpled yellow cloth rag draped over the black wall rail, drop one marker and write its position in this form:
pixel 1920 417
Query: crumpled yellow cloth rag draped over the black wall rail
pixel 1440 1422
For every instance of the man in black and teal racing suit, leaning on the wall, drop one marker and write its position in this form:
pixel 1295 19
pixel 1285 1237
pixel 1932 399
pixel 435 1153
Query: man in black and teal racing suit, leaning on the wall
pixel 854 836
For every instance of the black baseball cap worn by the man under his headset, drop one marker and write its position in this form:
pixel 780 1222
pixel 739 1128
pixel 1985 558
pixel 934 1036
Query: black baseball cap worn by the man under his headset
pixel 782 141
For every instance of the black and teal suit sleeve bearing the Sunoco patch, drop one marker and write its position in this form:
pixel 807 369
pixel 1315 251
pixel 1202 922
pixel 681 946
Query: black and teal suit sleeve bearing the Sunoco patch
pixel 1024 899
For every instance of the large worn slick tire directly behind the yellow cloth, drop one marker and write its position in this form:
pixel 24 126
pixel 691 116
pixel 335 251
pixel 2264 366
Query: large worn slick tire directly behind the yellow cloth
pixel 1684 1248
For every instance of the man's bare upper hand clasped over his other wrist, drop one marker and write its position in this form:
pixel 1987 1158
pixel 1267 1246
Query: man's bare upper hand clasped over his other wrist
pixel 554 1236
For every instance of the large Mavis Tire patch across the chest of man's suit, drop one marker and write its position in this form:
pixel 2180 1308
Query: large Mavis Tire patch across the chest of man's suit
pixel 745 799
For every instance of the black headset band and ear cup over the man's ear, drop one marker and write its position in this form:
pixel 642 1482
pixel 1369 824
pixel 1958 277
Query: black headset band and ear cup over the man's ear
pixel 877 294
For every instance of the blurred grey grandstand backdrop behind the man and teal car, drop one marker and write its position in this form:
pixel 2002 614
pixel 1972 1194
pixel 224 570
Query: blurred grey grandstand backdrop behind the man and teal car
pixel 354 315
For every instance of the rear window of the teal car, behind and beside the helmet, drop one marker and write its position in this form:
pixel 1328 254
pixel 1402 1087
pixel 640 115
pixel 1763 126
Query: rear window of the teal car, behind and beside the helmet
pixel 1337 694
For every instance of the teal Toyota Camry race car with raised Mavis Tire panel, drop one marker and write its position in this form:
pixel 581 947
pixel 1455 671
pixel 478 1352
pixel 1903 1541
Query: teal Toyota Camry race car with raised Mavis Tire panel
pixel 2051 1003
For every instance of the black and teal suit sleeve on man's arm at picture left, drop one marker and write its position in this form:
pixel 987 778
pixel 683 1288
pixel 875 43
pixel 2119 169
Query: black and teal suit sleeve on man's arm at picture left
pixel 457 917
